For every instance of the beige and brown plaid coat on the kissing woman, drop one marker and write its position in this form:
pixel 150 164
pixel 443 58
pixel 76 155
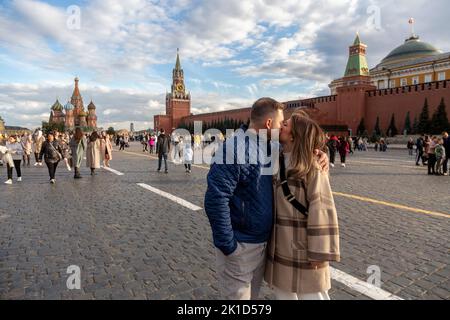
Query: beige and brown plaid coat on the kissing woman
pixel 297 240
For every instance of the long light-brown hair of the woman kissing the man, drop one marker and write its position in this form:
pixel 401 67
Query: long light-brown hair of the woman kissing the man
pixel 307 136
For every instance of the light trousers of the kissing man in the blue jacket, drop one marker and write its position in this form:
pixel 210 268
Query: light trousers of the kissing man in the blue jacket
pixel 241 273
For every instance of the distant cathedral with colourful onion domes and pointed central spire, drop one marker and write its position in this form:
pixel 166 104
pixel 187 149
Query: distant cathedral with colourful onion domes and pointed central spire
pixel 73 114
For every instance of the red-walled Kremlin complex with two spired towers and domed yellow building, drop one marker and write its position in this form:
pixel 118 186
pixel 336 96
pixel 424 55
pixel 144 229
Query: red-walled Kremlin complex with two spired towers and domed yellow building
pixel 398 85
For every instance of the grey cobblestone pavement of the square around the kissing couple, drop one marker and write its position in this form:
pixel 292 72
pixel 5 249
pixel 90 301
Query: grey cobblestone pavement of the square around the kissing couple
pixel 131 243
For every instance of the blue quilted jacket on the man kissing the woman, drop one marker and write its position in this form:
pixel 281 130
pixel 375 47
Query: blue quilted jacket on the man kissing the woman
pixel 238 202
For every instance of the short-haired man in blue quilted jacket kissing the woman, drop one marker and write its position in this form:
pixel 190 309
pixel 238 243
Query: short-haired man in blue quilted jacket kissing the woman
pixel 239 203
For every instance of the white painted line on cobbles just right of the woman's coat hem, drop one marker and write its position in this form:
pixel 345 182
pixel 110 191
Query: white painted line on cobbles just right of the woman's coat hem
pixel 365 288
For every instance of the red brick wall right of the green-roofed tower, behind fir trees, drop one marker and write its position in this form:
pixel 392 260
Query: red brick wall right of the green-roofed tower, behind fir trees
pixel 383 103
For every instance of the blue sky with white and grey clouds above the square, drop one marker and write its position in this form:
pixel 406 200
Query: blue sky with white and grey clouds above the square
pixel 232 52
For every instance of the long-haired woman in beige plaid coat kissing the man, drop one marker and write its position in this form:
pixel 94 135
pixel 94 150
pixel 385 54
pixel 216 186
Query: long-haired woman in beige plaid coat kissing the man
pixel 302 244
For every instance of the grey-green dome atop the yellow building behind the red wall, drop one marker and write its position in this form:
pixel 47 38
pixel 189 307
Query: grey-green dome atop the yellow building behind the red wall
pixel 412 49
